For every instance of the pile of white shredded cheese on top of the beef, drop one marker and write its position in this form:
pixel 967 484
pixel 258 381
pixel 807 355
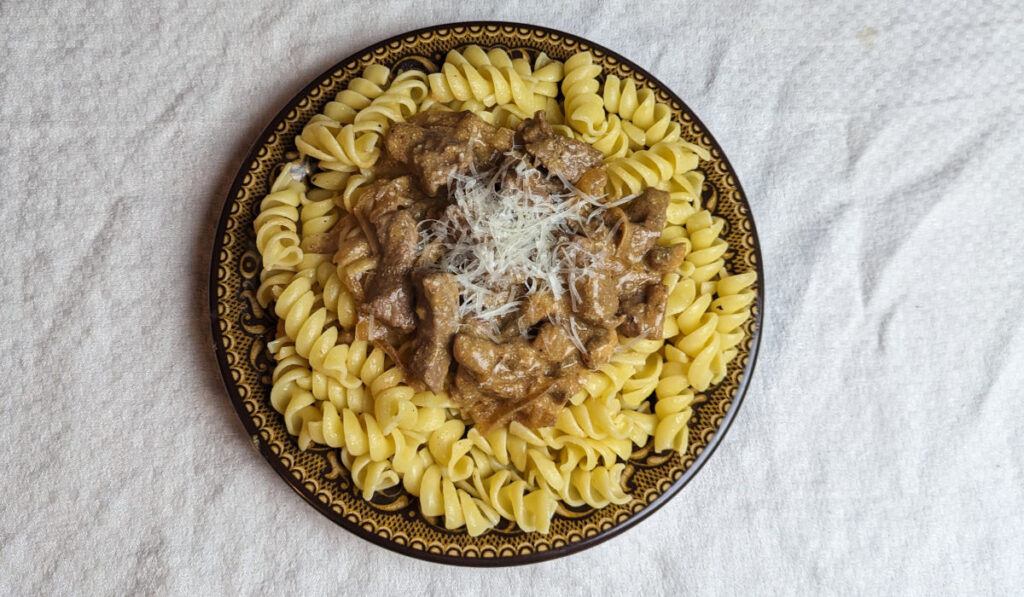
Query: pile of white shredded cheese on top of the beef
pixel 504 242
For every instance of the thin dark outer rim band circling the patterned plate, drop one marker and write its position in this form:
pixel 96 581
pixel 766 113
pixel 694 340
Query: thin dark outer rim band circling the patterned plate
pixel 519 560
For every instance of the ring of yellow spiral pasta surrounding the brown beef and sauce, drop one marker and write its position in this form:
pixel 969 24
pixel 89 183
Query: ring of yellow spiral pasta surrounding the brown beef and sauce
pixel 335 389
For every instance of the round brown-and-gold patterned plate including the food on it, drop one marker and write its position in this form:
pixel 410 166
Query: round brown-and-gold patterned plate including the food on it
pixel 412 461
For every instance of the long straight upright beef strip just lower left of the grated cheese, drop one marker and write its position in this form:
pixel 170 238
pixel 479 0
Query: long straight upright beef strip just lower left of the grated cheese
pixel 438 322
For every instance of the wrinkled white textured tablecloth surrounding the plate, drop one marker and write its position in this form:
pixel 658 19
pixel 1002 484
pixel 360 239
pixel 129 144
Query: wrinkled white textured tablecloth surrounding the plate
pixel 880 449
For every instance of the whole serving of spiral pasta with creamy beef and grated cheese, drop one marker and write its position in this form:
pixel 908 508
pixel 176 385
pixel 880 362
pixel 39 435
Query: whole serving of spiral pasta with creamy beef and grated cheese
pixel 494 283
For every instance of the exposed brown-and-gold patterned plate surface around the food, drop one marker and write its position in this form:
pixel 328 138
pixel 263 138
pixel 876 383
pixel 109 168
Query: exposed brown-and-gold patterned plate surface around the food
pixel 242 329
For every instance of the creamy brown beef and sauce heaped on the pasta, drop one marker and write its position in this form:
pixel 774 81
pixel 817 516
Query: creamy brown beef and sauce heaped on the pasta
pixel 525 363
